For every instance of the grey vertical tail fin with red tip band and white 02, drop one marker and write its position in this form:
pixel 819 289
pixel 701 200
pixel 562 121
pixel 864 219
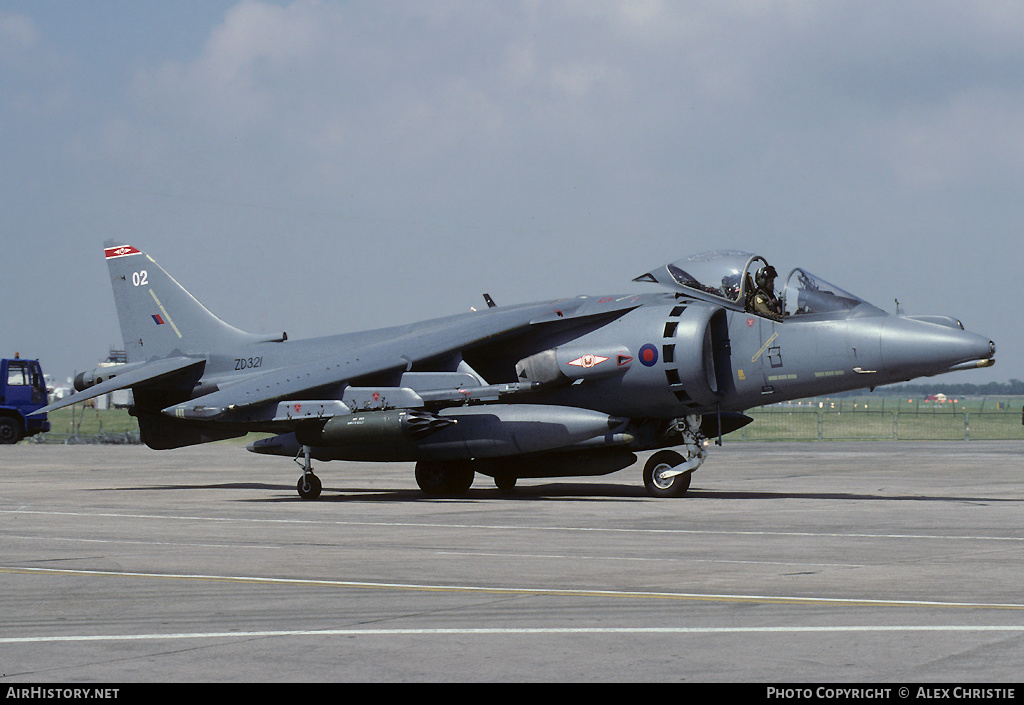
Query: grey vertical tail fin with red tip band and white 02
pixel 158 317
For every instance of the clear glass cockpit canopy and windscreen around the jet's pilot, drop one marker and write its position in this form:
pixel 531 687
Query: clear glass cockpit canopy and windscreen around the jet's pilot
pixel 729 277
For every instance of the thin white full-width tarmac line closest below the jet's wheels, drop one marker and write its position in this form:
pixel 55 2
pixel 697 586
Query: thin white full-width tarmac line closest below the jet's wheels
pixel 507 528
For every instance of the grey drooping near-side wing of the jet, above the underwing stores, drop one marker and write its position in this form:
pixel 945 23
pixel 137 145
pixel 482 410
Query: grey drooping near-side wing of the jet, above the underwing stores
pixel 326 379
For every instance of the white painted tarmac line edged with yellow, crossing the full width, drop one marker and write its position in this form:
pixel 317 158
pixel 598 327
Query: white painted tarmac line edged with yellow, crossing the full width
pixel 508 591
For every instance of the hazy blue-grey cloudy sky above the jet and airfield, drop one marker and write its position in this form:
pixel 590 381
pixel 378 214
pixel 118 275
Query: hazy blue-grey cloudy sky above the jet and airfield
pixel 321 168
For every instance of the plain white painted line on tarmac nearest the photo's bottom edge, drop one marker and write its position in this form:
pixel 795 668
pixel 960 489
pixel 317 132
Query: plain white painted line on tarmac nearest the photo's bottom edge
pixel 511 632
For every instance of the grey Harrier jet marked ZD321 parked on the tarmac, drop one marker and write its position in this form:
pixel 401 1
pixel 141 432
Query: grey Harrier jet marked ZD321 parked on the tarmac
pixel 575 387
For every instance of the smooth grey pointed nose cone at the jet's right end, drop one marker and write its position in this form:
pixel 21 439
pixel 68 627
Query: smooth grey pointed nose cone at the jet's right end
pixel 912 348
